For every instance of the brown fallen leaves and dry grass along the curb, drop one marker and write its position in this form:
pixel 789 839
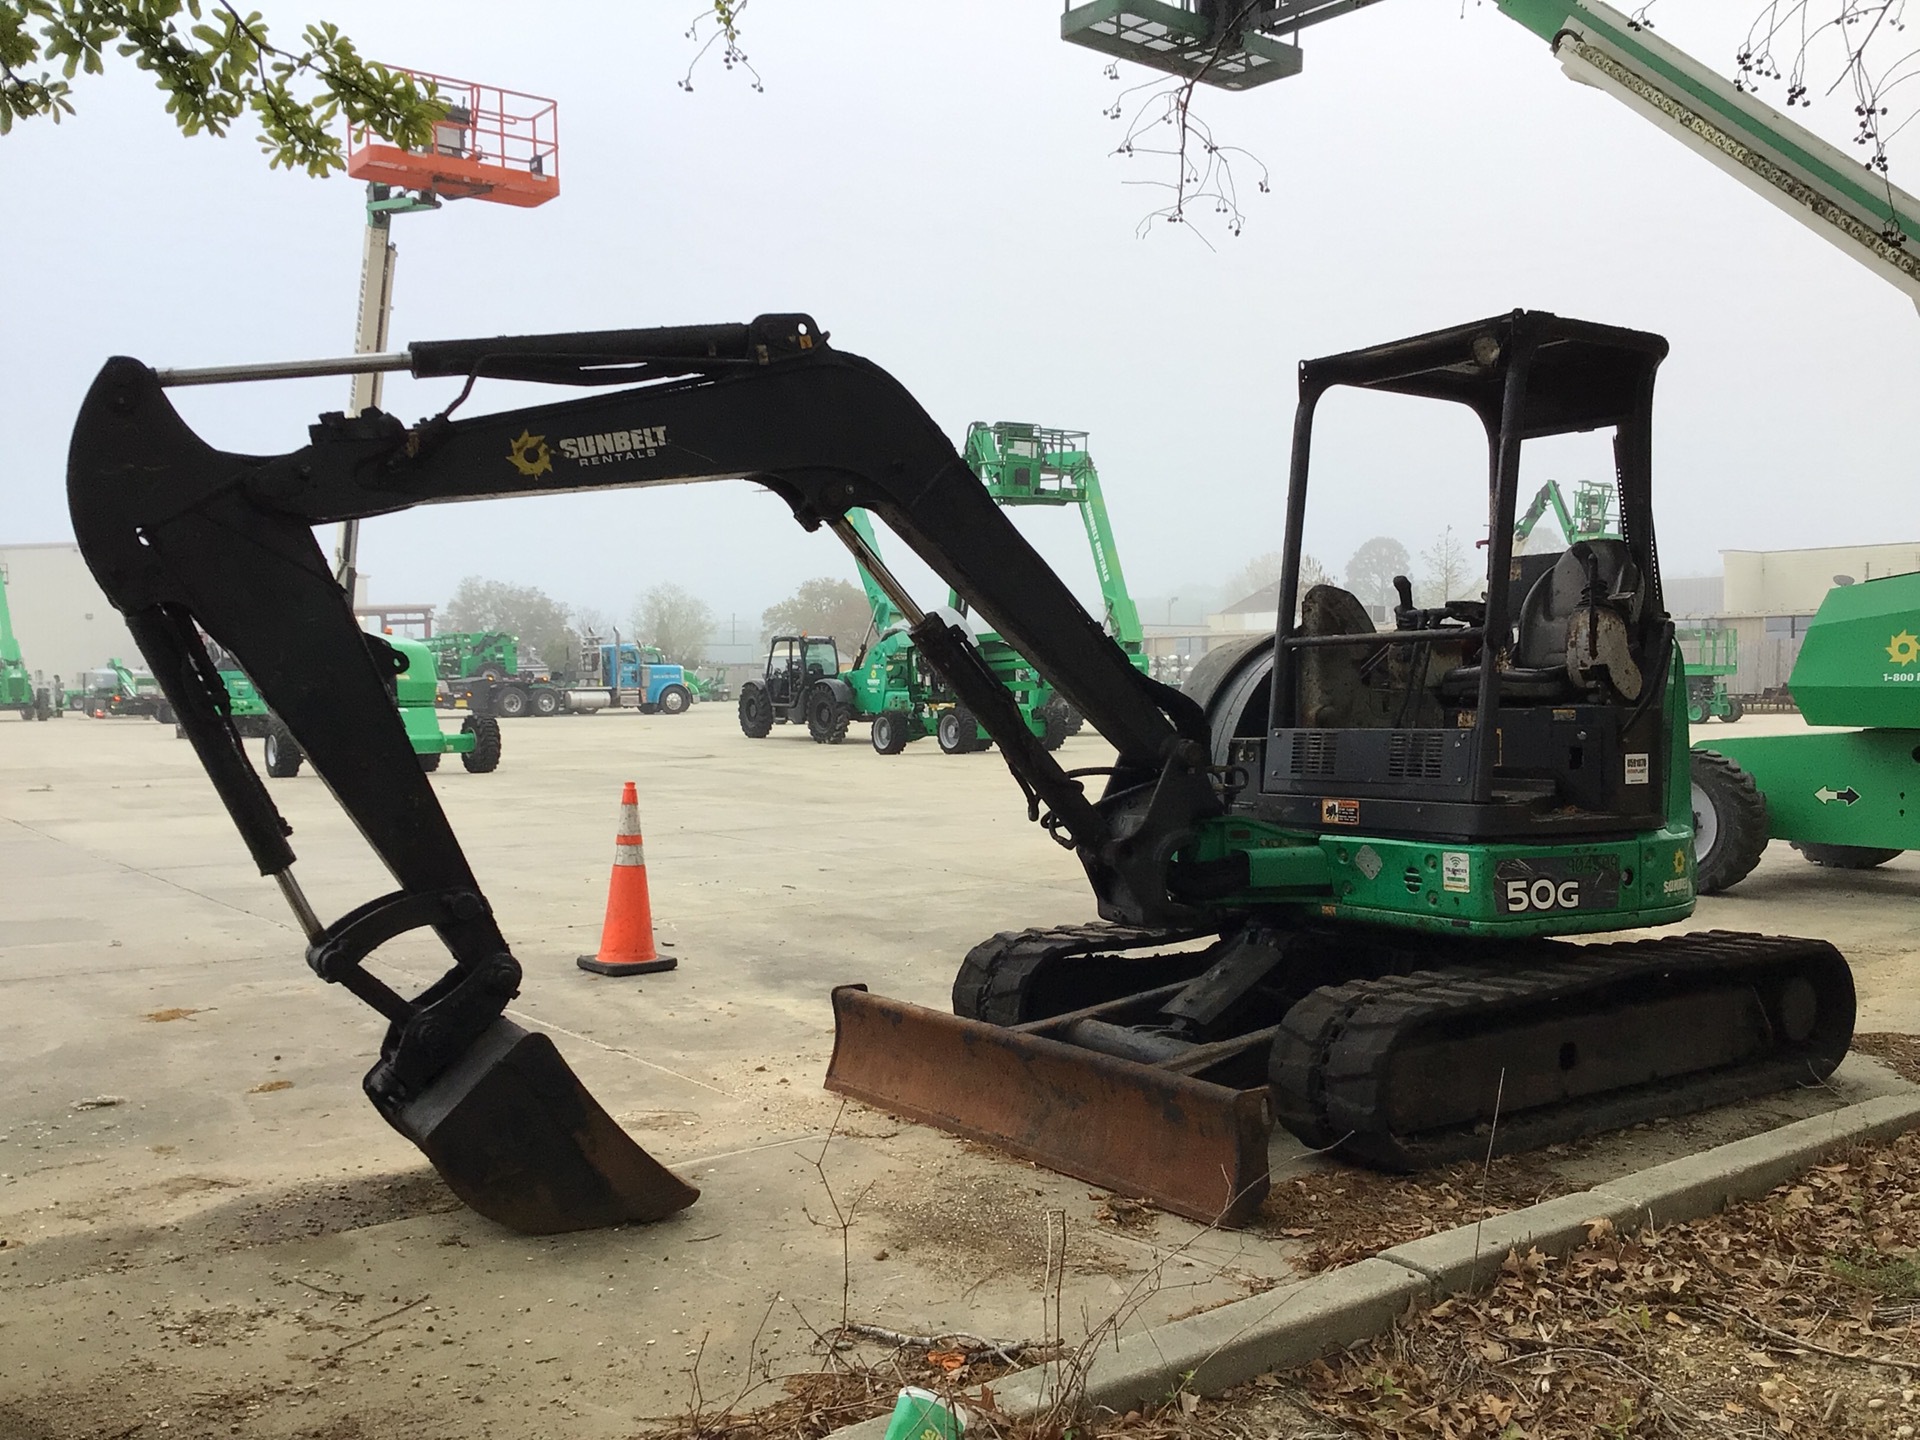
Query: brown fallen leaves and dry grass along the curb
pixel 1792 1316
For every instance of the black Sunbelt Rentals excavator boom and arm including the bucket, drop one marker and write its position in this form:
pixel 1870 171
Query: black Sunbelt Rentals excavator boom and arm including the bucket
pixel 187 539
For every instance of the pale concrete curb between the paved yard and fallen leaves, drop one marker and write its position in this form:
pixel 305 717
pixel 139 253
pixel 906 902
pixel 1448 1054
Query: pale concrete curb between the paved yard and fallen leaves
pixel 1295 1324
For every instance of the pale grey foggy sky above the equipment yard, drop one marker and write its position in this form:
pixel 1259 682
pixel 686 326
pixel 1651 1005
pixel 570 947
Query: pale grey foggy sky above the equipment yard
pixel 936 185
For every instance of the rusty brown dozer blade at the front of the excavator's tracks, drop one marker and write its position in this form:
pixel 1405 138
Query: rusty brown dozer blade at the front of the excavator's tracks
pixel 1189 1147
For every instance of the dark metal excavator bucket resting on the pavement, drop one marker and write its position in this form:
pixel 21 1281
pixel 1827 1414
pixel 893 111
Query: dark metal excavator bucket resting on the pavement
pixel 516 1136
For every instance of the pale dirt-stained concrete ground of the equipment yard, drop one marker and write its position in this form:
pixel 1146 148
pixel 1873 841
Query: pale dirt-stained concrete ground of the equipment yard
pixel 206 1232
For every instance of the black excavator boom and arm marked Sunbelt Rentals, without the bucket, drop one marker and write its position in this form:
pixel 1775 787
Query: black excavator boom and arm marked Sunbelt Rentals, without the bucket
pixel 181 535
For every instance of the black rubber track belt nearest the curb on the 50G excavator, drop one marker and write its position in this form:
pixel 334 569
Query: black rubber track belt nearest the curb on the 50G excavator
pixel 1332 1063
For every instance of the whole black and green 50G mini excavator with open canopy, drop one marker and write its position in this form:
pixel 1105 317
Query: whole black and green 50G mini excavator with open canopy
pixel 1335 875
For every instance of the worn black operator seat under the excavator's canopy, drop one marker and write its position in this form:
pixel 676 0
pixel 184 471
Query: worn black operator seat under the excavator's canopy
pixel 1575 623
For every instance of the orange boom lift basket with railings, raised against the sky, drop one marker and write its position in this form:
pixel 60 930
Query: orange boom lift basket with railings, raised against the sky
pixel 491 145
